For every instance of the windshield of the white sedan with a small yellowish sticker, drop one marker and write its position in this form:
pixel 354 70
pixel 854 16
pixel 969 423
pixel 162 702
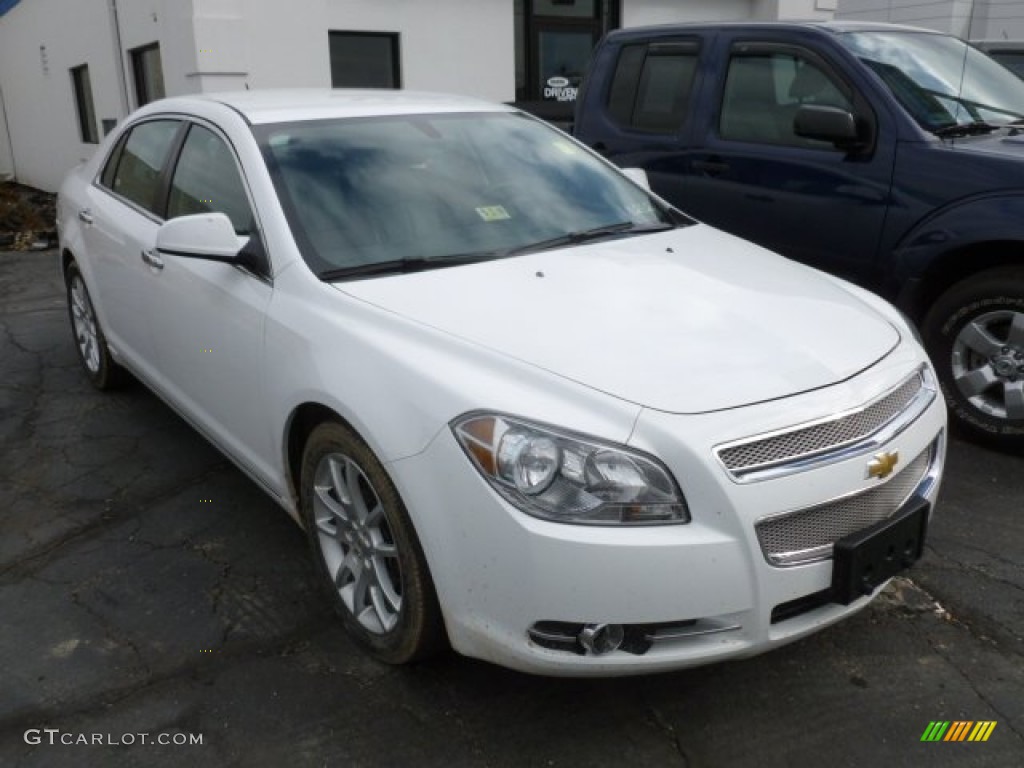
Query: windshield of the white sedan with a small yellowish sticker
pixel 432 189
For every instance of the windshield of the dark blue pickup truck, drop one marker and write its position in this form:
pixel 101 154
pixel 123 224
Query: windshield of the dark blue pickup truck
pixel 941 80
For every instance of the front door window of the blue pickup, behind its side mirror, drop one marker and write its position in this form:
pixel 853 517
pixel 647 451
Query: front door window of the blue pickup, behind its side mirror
pixel 763 92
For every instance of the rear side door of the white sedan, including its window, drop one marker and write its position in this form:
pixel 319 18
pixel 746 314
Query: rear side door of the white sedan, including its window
pixel 120 223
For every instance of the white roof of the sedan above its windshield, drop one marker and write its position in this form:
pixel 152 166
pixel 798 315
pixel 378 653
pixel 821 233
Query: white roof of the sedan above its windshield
pixel 279 106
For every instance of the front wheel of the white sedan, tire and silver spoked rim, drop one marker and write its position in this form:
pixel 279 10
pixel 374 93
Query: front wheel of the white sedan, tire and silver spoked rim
pixel 366 550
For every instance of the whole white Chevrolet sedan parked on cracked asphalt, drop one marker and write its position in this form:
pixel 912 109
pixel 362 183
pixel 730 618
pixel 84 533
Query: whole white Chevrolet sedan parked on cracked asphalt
pixel 521 406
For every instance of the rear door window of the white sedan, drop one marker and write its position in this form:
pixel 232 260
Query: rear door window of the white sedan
pixel 140 163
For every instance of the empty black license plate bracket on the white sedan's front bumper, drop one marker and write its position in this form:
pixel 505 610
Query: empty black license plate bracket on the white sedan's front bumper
pixel 868 559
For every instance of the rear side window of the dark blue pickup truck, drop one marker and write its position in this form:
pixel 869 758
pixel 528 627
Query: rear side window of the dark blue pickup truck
pixel 652 87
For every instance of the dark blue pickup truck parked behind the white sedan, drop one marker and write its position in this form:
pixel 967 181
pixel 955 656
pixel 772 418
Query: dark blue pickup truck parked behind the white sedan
pixel 889 156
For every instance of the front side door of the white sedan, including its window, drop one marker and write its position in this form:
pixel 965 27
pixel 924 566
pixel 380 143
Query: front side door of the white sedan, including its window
pixel 209 317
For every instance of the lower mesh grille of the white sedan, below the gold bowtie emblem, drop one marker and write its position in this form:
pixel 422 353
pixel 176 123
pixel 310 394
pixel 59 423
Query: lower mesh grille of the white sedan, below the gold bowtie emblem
pixel 809 534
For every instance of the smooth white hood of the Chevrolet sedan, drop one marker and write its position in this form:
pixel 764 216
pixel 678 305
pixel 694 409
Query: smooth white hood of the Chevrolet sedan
pixel 689 321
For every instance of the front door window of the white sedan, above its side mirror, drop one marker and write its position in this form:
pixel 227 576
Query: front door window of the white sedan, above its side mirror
pixel 207 179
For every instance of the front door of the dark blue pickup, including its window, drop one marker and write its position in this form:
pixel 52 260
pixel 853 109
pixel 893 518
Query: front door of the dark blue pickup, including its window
pixel 750 174
